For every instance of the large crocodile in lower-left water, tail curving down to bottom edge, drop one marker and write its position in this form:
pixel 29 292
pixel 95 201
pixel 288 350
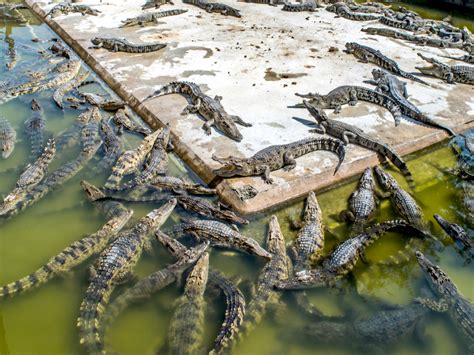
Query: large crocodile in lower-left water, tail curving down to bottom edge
pixel 114 265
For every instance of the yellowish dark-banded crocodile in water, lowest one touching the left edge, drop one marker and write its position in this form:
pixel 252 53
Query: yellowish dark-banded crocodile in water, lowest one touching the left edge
pixel 70 257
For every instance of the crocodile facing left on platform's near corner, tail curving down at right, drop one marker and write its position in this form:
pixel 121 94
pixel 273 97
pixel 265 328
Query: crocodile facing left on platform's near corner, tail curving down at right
pixel 276 157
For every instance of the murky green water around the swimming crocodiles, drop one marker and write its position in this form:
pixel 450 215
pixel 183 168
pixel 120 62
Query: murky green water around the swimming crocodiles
pixel 44 321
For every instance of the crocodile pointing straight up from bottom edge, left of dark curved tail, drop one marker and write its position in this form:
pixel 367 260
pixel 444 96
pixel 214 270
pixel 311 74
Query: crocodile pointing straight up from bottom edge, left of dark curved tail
pixel 187 324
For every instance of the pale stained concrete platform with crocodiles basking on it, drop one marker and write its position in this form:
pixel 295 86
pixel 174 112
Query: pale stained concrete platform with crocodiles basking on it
pixel 256 64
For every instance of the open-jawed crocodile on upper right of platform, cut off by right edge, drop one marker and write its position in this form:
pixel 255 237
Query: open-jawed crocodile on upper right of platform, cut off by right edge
pixel 451 74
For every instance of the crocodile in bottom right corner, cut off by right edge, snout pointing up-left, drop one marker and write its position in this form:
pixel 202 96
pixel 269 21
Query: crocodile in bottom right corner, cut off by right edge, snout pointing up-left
pixel 451 300
